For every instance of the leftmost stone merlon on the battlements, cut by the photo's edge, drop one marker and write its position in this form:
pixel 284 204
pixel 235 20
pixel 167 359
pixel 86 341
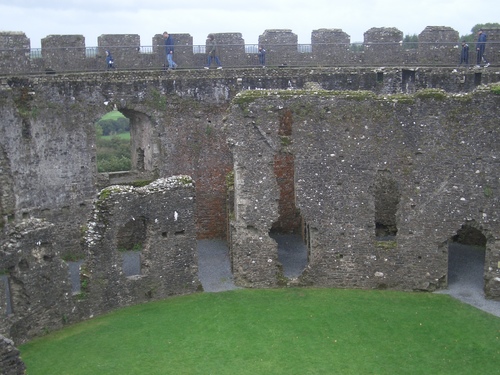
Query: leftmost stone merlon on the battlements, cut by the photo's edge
pixel 14 52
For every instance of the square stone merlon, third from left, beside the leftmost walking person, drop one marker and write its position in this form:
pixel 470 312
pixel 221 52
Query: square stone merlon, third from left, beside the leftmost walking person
pixel 125 49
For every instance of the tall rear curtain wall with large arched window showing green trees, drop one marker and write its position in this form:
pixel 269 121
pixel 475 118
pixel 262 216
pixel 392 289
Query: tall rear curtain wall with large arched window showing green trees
pixel 177 127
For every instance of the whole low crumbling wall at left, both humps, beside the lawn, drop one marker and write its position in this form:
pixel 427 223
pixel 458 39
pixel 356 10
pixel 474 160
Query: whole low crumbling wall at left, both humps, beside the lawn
pixel 139 245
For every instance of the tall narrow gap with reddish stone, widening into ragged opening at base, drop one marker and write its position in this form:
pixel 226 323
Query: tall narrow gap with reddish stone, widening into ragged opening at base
pixel 287 230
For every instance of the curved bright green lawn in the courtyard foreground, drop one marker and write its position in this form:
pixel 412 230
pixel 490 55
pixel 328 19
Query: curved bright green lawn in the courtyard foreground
pixel 283 331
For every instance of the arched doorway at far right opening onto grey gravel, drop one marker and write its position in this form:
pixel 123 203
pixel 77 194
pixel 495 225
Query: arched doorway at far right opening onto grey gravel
pixel 466 257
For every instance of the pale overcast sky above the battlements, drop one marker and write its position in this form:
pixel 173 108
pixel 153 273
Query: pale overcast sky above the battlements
pixel 92 18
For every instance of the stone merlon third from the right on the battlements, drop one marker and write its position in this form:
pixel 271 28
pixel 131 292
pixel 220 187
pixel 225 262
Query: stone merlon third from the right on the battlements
pixel 383 46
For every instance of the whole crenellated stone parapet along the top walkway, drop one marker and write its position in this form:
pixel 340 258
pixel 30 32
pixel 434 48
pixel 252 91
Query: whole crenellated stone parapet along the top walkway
pixel 438 46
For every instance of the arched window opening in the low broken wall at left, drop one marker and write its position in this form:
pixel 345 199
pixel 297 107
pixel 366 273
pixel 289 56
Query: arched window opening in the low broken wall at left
pixel 130 241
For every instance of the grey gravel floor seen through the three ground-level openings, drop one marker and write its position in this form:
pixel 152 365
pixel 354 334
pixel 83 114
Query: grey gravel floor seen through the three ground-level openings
pixel 465 276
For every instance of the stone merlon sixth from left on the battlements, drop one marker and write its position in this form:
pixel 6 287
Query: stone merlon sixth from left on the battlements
pixel 281 46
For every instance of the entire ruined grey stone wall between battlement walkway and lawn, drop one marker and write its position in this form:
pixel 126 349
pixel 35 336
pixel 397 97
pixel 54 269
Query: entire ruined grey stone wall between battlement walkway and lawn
pixel 279 130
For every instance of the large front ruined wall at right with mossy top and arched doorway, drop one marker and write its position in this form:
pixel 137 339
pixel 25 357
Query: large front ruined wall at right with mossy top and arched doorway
pixel 438 153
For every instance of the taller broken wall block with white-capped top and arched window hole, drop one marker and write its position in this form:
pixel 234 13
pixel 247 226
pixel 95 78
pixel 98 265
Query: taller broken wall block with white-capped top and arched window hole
pixel 157 222
